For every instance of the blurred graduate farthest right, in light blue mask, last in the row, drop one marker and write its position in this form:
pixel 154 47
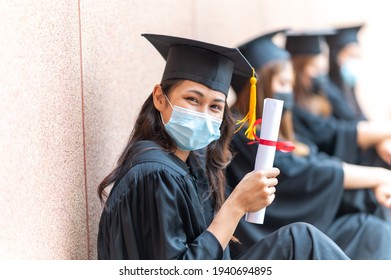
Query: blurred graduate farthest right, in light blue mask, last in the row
pixel 344 72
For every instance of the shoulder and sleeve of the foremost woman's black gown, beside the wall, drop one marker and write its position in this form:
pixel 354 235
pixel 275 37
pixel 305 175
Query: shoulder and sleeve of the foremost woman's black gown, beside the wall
pixel 155 212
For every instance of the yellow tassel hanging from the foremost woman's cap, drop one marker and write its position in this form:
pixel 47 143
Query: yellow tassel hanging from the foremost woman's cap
pixel 251 114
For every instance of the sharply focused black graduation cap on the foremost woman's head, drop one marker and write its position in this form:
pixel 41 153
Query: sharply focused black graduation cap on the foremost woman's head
pixel 211 65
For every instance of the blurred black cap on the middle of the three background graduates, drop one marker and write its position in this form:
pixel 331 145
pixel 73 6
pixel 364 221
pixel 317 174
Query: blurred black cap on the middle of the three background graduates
pixel 307 42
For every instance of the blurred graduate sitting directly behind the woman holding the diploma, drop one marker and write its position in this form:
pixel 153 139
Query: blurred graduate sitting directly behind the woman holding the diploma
pixel 311 183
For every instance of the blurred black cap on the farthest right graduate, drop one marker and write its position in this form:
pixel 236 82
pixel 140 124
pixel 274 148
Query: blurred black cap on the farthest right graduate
pixel 343 37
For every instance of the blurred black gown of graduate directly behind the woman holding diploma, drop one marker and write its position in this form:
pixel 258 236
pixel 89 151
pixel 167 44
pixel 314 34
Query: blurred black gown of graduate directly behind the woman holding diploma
pixel 310 189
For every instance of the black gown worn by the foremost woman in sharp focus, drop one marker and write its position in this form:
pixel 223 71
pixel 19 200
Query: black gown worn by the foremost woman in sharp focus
pixel 158 210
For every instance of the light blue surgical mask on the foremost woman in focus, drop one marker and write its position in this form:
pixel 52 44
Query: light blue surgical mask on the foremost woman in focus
pixel 192 130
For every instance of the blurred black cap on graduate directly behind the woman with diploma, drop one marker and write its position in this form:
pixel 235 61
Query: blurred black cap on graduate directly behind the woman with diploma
pixel 260 51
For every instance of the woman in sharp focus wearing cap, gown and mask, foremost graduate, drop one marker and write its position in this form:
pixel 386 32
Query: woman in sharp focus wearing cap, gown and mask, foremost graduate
pixel 167 200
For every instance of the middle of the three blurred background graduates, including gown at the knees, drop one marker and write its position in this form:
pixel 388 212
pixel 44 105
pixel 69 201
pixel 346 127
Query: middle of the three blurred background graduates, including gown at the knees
pixel 353 141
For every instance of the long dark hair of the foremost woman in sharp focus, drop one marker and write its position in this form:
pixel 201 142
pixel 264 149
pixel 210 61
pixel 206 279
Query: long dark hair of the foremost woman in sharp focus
pixel 149 126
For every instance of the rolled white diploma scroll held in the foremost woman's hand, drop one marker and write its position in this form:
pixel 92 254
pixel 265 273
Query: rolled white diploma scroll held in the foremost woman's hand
pixel 270 126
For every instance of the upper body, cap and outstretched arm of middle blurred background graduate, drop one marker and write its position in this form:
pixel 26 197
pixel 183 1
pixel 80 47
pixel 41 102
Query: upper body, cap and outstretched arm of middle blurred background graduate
pixel 312 115
